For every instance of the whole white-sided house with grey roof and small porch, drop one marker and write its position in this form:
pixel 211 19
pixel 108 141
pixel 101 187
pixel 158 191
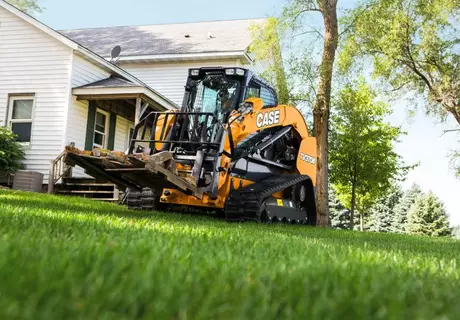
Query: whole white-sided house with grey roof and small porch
pixel 61 87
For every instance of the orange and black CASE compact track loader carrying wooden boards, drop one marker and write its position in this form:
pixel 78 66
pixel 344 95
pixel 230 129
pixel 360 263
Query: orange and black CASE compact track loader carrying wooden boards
pixel 230 149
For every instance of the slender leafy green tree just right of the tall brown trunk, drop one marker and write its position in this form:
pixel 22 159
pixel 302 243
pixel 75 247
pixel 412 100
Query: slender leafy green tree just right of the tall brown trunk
pixel 361 149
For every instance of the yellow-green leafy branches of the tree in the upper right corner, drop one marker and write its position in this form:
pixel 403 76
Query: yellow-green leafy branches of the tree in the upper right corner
pixel 412 44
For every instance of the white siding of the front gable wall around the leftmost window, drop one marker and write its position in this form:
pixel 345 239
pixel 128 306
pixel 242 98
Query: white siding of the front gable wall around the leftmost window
pixel 33 62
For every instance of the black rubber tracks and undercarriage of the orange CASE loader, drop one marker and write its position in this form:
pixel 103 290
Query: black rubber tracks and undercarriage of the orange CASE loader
pixel 252 203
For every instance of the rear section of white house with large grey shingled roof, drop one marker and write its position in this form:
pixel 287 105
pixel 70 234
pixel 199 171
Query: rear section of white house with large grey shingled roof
pixel 160 55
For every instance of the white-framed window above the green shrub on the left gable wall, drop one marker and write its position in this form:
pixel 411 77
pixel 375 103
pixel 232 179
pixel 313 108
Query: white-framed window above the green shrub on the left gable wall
pixel 20 117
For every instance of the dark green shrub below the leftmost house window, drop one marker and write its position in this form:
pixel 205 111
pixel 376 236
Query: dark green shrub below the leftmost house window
pixel 11 152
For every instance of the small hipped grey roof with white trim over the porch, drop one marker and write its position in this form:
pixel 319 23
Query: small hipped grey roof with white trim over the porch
pixel 114 88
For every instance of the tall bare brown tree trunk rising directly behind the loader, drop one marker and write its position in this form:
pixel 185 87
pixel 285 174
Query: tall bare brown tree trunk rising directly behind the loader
pixel 321 109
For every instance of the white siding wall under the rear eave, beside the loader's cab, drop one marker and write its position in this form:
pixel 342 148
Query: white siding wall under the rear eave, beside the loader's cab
pixel 169 78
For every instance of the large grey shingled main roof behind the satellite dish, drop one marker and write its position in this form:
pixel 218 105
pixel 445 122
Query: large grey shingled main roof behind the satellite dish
pixel 183 38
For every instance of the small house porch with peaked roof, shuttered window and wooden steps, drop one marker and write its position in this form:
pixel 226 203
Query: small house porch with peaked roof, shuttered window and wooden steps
pixel 111 108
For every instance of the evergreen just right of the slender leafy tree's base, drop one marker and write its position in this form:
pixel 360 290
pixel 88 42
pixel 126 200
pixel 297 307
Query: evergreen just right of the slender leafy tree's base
pixel 382 216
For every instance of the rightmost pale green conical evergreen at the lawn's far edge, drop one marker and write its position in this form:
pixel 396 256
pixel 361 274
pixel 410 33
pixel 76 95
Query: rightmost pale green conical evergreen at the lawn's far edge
pixel 428 217
